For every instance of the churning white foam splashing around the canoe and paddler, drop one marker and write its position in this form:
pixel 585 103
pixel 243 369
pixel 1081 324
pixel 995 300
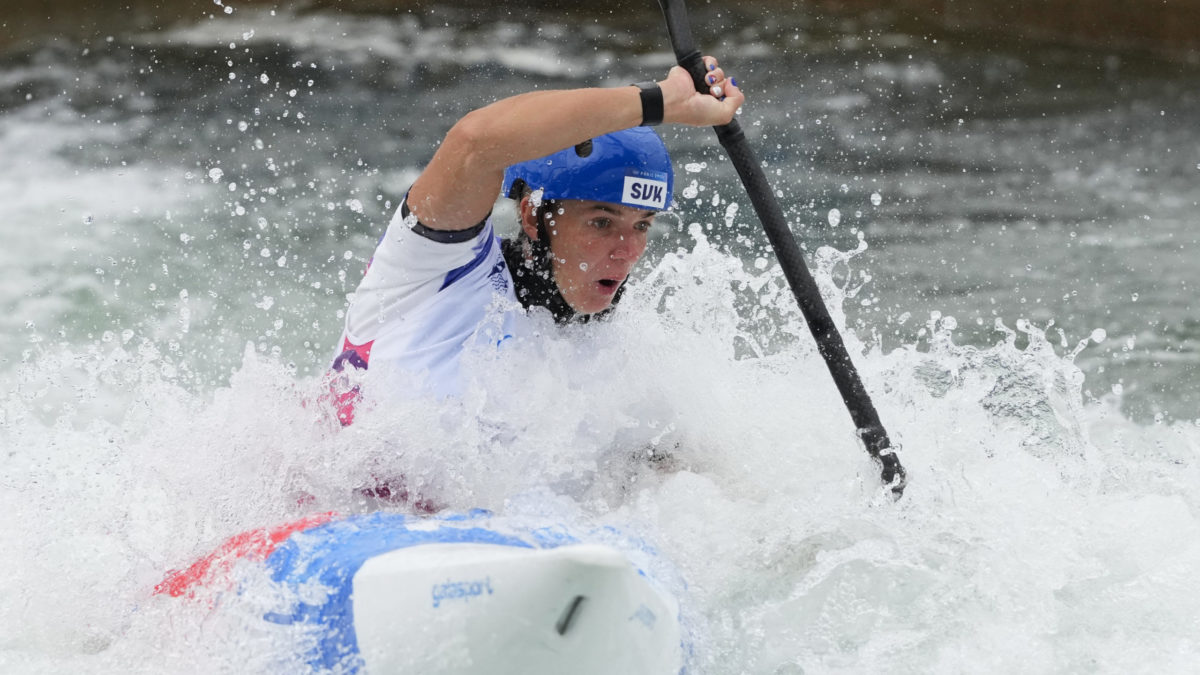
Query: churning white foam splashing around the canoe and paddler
pixel 1040 533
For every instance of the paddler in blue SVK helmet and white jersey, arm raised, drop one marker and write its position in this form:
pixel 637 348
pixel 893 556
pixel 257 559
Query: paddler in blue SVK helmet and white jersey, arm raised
pixel 589 178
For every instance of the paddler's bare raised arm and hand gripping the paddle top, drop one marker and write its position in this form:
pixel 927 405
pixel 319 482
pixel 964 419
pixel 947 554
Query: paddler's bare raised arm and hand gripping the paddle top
pixel 460 186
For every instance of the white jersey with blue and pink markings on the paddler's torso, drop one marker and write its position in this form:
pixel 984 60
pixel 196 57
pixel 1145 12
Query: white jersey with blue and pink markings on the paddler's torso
pixel 428 295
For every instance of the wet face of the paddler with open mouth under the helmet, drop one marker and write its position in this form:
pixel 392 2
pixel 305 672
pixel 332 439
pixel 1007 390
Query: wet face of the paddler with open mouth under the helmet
pixel 595 248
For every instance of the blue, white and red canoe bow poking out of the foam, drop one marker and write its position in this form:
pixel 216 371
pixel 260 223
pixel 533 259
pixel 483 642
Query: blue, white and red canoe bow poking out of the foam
pixel 457 594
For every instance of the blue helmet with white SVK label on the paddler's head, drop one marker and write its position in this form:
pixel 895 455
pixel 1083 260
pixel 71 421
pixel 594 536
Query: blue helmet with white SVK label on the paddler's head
pixel 629 168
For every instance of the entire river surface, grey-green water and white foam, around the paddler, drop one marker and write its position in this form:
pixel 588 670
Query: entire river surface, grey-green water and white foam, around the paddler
pixel 1004 232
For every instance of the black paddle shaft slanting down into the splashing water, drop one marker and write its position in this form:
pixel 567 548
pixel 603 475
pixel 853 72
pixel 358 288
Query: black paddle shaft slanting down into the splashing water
pixel 805 288
